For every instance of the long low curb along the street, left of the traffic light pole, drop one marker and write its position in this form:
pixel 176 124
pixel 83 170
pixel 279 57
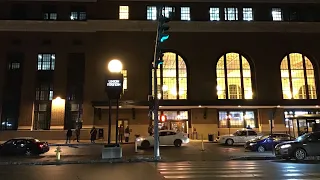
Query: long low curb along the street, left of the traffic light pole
pixel 134 160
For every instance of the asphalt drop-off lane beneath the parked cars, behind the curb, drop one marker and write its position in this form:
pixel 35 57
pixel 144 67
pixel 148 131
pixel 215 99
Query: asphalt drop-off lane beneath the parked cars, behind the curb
pixel 189 152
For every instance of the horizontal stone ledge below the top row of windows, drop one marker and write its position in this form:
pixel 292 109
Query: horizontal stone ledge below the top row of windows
pixel 150 26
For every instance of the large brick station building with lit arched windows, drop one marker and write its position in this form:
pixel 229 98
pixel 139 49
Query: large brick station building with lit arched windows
pixel 228 64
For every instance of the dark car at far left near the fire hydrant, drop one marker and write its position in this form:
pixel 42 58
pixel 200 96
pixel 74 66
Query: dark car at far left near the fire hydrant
pixel 24 146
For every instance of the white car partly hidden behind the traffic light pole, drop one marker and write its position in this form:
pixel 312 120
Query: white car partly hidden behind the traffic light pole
pixel 166 137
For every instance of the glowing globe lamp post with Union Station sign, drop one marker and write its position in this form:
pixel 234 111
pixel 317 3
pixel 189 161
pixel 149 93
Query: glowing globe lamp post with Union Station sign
pixel 114 85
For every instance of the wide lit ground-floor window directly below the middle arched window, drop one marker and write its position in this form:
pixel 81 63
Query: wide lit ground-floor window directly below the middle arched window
pixel 237 119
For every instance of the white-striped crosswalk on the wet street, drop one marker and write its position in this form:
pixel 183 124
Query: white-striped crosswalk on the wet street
pixel 231 170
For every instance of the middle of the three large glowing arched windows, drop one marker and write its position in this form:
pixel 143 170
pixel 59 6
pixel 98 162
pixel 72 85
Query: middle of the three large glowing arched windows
pixel 233 77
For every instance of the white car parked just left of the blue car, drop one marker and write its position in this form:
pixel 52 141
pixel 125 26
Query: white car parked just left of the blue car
pixel 239 137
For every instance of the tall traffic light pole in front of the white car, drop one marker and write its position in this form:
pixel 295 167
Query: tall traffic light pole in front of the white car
pixel 155 93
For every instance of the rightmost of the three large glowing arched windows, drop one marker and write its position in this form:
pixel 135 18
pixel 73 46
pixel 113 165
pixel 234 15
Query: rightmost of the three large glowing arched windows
pixel 297 77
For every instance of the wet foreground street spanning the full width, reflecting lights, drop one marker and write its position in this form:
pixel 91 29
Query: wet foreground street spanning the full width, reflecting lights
pixel 196 170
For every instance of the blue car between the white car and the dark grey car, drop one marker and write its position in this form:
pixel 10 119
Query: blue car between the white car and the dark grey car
pixel 268 142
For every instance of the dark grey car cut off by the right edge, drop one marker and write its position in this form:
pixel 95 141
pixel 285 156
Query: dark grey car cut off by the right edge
pixel 305 145
